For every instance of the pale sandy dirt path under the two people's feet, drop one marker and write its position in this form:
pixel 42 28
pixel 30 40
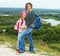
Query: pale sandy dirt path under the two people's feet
pixel 6 51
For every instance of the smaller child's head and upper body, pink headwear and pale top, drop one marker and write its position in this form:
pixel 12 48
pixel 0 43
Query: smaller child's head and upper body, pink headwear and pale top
pixel 22 25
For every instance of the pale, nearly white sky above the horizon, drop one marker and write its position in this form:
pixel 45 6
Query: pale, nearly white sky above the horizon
pixel 47 4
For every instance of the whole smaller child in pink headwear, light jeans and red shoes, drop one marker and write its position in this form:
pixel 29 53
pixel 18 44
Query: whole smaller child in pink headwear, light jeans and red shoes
pixel 22 26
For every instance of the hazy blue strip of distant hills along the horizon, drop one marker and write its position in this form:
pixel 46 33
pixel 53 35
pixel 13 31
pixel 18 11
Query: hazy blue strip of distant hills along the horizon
pixel 36 10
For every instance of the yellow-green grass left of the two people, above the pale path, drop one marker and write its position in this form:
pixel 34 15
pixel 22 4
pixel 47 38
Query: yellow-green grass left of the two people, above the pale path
pixel 8 38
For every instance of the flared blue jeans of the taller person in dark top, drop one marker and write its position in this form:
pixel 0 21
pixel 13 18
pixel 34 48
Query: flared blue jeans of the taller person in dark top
pixel 21 43
